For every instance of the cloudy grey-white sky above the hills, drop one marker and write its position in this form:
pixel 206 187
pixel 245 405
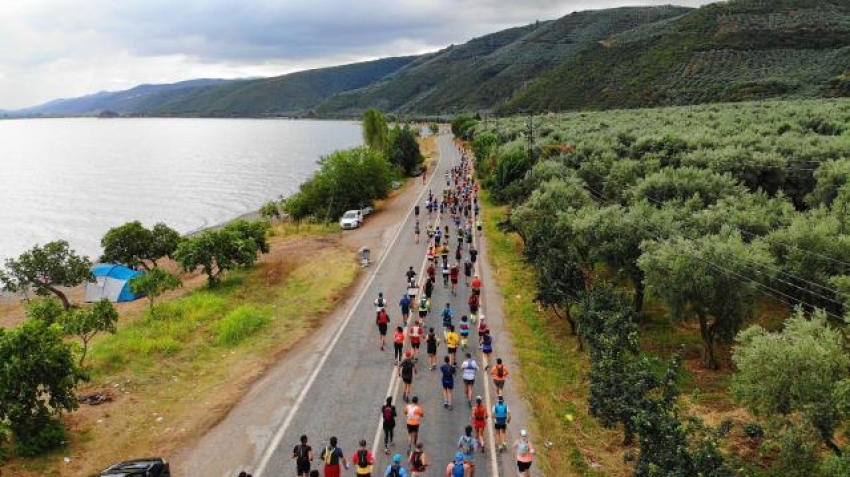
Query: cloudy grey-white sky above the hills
pixel 66 48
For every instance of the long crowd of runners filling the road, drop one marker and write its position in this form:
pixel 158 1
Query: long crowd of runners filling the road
pixel 450 230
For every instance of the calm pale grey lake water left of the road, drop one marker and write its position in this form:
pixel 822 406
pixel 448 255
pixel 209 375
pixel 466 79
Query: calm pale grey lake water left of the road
pixel 74 179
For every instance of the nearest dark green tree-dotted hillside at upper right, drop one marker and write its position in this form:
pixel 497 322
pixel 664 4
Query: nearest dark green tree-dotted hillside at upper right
pixel 740 50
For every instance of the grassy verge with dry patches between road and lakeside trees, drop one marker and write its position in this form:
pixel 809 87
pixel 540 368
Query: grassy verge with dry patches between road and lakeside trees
pixel 175 375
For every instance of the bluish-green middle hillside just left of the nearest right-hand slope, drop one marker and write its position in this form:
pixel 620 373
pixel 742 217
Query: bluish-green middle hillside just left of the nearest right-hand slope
pixel 488 71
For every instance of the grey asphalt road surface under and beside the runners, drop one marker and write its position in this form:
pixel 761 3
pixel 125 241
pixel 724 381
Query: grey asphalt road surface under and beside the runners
pixel 335 384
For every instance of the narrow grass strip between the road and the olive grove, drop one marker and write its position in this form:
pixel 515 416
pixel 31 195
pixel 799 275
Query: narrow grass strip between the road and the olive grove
pixel 555 378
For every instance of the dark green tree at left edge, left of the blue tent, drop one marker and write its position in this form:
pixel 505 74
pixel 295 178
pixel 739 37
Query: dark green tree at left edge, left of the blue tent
pixel 46 268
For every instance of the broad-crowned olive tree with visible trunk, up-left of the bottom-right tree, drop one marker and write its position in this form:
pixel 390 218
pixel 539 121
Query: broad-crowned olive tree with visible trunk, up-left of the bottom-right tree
pixel 715 277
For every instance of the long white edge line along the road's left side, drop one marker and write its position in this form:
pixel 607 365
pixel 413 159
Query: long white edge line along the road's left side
pixel 278 437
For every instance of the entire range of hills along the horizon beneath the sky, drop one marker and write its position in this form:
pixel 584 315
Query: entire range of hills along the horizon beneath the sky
pixel 615 58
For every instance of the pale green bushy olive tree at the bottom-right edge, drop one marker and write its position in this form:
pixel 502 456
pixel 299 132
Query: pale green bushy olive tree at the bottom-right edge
pixel 802 369
